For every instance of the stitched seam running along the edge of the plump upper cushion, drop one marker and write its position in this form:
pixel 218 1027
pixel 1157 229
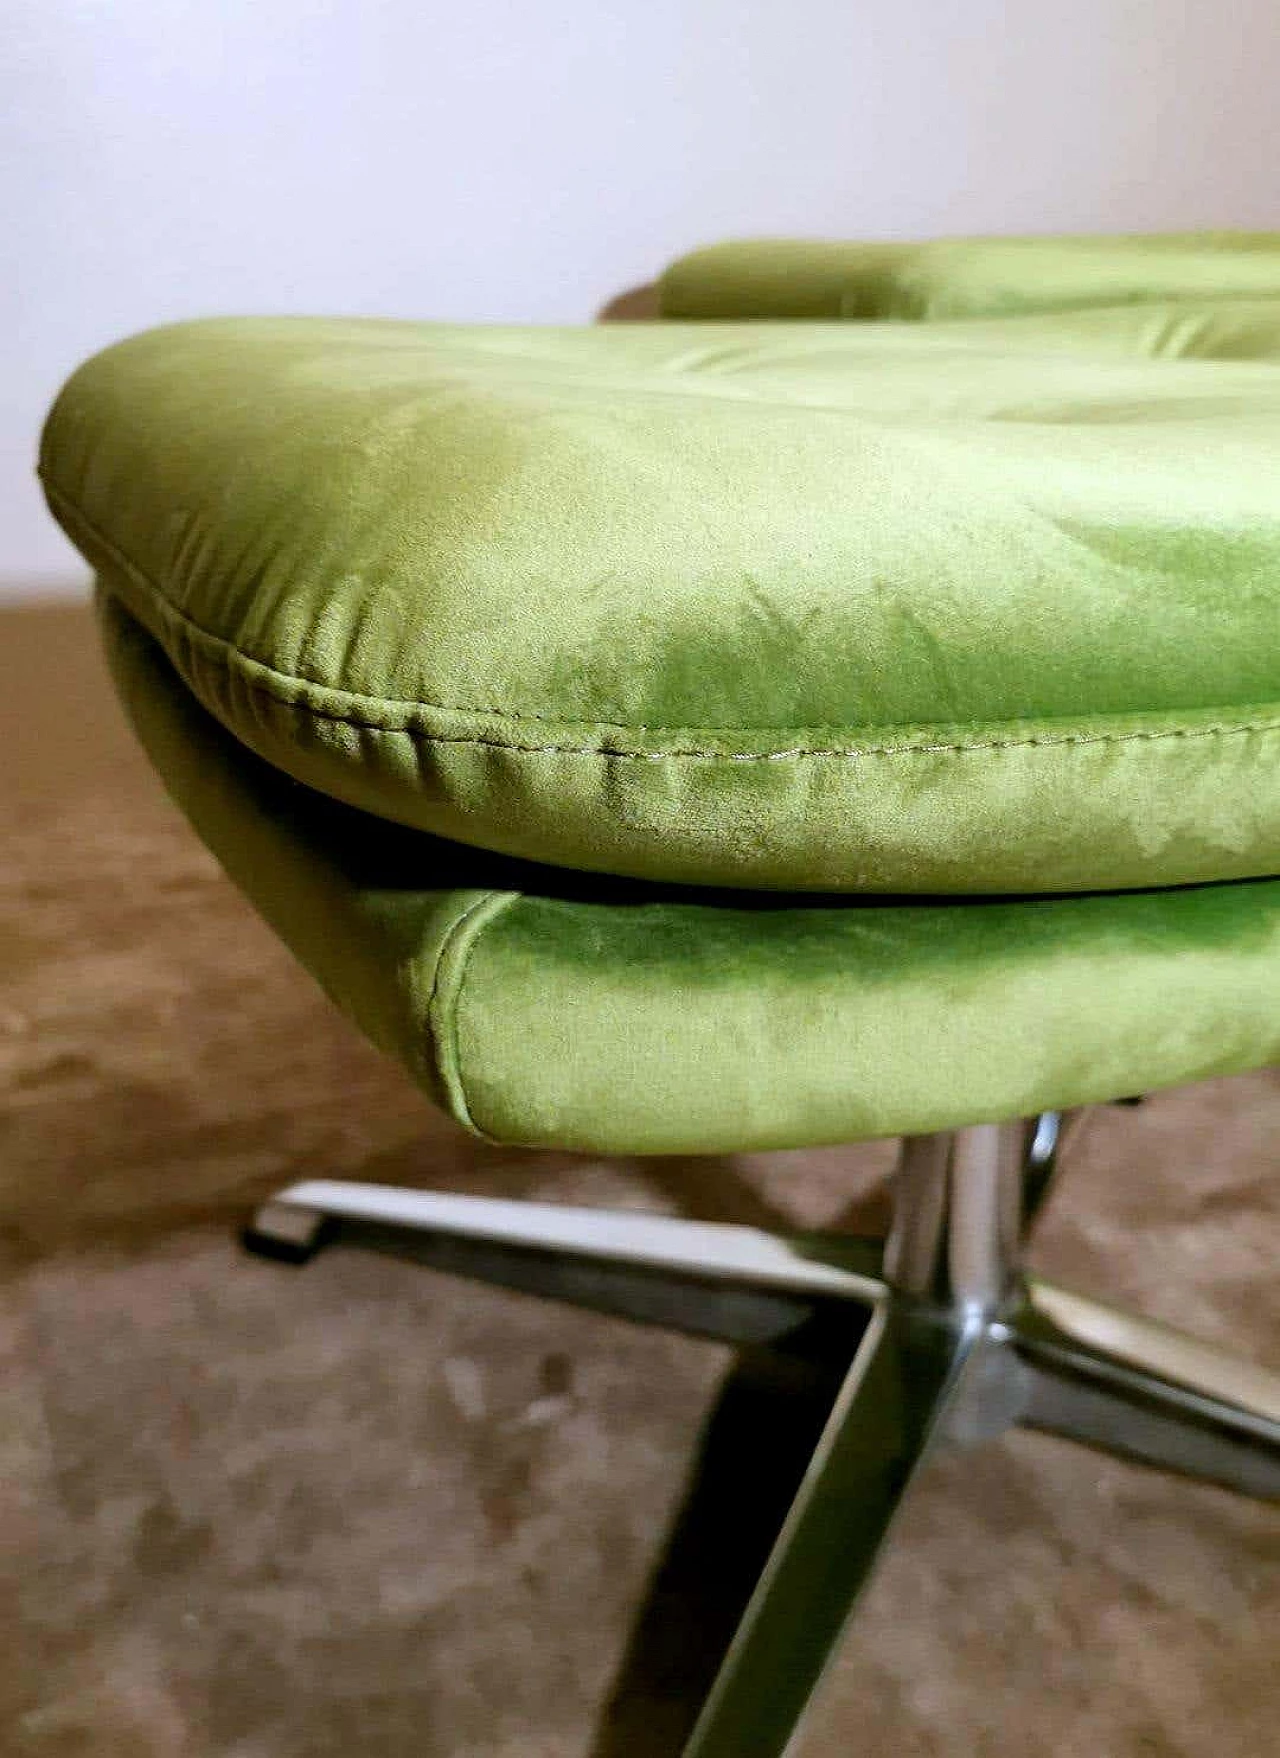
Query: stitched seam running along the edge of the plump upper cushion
pixel 222 653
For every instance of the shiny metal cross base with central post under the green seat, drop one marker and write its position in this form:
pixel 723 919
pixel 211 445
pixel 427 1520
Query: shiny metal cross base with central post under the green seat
pixel 942 1335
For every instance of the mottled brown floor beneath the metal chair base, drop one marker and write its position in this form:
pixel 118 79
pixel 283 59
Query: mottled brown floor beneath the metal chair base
pixel 368 1511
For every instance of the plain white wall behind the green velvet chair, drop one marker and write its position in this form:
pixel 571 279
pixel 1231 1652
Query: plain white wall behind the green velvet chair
pixel 528 159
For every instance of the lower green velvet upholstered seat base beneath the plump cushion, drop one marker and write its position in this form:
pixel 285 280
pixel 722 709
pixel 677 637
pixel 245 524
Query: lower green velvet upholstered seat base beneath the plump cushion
pixel 593 1013
